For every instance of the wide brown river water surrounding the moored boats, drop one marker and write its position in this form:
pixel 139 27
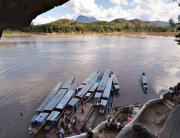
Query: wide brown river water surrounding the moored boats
pixel 31 66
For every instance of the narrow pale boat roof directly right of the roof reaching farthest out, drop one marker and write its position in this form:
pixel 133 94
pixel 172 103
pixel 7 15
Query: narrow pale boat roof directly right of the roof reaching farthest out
pixel 107 89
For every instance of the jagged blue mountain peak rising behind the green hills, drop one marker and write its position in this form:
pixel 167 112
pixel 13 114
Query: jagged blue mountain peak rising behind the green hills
pixel 85 19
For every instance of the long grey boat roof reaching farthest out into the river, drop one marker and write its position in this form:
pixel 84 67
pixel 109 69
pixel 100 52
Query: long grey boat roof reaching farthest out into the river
pixel 103 81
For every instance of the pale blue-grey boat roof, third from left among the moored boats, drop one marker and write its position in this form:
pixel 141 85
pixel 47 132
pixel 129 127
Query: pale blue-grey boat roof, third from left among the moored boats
pixel 65 99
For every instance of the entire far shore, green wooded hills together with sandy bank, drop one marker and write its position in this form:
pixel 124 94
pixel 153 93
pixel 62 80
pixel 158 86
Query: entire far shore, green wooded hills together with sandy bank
pixel 116 27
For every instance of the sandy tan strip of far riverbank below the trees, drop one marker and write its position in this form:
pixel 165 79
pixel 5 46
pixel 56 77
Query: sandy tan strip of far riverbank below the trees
pixel 131 34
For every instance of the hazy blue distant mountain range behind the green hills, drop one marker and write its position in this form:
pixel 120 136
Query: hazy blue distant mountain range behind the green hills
pixel 88 19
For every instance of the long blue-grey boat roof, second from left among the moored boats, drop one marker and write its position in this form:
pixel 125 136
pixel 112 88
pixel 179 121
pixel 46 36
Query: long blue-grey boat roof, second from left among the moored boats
pixel 52 104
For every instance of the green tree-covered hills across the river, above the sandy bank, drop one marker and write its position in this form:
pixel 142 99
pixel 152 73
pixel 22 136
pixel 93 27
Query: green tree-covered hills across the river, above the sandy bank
pixel 117 25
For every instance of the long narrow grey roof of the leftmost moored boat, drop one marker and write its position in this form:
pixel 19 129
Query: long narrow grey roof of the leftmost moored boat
pixel 49 97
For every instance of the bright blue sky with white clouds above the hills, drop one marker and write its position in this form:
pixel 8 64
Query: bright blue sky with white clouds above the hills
pixel 107 10
